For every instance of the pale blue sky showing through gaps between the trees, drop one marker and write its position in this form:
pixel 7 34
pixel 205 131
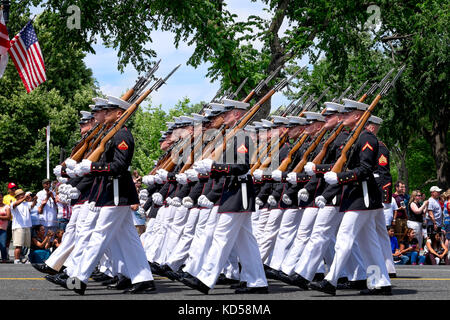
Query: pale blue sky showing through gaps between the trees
pixel 187 81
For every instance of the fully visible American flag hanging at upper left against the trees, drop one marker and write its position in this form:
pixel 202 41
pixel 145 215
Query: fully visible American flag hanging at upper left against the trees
pixel 27 57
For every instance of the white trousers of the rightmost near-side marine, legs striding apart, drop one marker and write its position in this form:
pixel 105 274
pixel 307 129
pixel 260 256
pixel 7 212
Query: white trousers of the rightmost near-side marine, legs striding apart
pixel 360 225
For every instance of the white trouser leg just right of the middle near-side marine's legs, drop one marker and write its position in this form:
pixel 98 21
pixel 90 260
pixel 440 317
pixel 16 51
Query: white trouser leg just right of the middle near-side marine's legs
pixel 270 233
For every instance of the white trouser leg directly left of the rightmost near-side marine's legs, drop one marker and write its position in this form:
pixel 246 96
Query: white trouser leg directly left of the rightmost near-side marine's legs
pixel 325 227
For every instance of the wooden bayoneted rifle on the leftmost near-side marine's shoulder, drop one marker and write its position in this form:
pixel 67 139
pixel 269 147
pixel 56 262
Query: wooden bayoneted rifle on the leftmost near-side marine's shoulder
pixel 95 155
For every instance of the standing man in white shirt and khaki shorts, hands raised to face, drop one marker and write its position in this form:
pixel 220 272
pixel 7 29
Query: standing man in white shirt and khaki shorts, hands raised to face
pixel 21 224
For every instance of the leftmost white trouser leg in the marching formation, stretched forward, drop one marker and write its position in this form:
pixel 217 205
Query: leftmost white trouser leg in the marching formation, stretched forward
pixel 60 255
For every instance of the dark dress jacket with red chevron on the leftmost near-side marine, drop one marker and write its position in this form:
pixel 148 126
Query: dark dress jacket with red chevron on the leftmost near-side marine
pixel 114 164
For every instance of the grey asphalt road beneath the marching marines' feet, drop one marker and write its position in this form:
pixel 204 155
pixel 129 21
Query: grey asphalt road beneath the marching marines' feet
pixel 23 282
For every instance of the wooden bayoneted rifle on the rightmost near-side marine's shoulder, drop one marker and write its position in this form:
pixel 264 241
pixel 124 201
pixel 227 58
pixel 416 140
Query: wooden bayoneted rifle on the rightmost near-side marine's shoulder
pixel 339 164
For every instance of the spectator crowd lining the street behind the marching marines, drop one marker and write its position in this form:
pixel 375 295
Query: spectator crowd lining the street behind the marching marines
pixel 34 223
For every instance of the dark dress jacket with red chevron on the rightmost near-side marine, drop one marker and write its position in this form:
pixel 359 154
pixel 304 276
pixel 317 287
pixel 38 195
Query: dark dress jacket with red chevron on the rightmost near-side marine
pixel 361 166
